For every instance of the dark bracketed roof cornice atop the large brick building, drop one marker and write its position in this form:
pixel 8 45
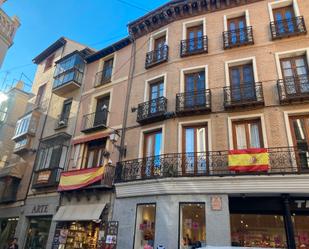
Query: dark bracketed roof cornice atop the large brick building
pixel 179 9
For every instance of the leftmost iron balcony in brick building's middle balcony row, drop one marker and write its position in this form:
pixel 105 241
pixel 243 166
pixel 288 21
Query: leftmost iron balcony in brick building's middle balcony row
pixel 152 111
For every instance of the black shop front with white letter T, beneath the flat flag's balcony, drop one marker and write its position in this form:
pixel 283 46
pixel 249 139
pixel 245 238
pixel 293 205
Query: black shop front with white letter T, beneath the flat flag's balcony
pixel 270 222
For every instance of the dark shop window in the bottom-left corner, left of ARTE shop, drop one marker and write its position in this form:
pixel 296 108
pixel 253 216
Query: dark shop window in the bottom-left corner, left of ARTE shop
pixel 7 231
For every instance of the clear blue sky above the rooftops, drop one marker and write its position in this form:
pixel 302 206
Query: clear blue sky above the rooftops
pixel 95 23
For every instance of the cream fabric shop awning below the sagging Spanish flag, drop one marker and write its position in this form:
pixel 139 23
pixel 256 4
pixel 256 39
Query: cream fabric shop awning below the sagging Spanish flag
pixel 79 212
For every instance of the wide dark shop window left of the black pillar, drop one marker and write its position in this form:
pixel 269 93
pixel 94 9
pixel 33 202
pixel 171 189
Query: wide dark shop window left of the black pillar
pixel 256 230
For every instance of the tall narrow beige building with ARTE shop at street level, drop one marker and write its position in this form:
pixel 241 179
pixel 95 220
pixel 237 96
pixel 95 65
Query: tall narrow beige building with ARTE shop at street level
pixel 42 138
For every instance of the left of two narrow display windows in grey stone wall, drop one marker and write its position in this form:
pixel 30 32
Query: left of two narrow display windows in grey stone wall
pixel 145 226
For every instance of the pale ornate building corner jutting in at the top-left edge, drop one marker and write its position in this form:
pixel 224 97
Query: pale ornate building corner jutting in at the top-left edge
pixel 8 28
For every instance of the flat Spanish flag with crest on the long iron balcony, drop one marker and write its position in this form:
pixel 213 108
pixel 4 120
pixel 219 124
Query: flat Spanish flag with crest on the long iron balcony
pixel 249 160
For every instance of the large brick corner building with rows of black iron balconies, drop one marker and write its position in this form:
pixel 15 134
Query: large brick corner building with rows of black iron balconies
pixel 217 128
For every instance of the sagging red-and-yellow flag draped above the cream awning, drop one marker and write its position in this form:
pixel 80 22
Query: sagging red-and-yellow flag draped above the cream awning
pixel 77 179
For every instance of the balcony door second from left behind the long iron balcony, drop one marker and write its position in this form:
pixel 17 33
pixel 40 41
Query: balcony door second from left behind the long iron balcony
pixel 194 149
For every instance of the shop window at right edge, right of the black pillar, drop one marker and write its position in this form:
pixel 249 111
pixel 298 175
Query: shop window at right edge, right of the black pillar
pixel 301 228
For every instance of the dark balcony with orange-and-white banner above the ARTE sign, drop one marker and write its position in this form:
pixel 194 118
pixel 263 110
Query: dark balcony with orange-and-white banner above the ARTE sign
pixel 45 178
